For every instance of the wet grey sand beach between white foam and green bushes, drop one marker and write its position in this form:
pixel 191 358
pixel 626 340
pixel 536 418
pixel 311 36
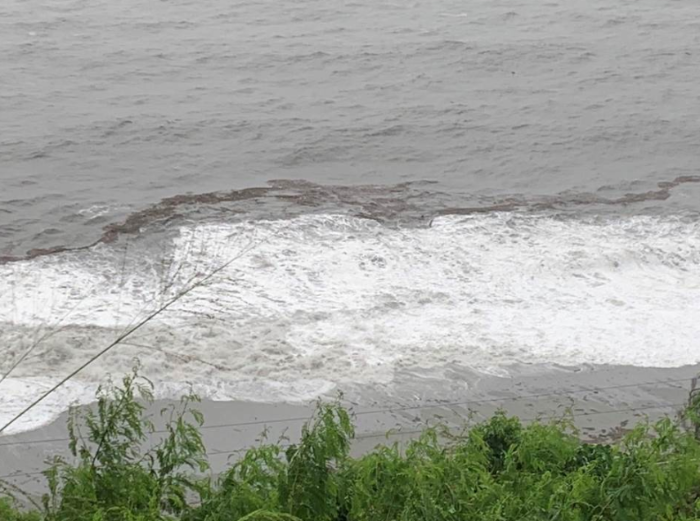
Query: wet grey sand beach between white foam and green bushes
pixel 604 402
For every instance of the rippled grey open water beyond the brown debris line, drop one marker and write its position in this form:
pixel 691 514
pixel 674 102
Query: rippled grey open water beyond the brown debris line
pixel 108 107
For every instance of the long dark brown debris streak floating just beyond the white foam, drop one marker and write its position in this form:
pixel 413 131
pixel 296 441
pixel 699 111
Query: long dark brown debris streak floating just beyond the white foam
pixel 390 204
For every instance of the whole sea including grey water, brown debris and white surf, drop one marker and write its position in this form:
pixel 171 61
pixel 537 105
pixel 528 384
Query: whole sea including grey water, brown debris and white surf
pixel 479 184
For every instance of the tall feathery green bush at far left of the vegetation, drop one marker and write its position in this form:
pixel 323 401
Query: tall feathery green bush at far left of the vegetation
pixel 112 478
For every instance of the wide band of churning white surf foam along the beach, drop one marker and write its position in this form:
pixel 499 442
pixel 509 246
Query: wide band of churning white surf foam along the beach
pixel 321 301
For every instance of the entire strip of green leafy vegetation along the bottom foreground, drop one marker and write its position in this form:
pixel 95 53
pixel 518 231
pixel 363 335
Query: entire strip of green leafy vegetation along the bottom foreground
pixel 498 470
